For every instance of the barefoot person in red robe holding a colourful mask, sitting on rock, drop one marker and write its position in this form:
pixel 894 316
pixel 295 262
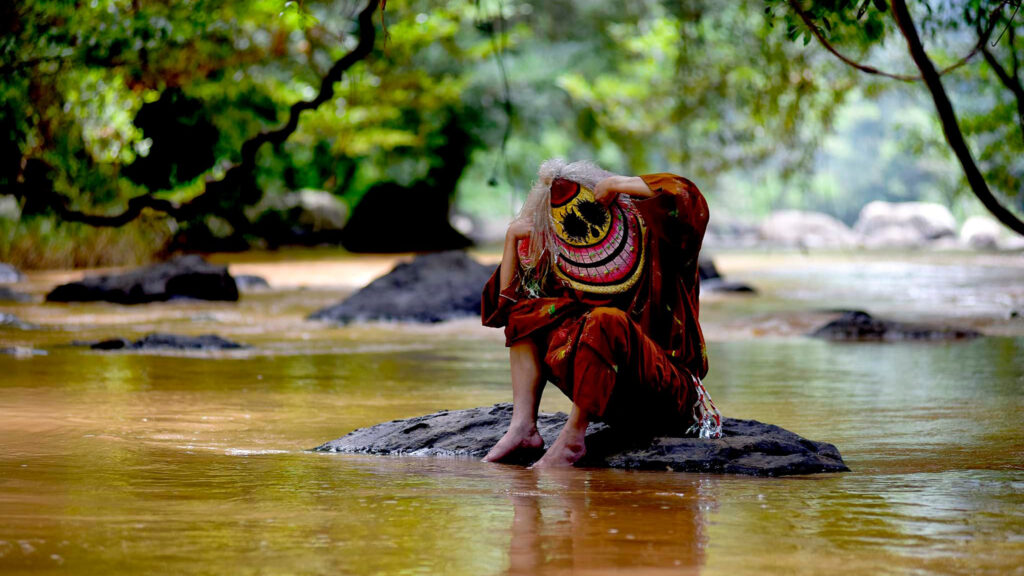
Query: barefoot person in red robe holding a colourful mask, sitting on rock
pixel 598 293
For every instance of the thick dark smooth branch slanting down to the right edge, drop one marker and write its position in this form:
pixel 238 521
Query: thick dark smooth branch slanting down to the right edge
pixel 951 128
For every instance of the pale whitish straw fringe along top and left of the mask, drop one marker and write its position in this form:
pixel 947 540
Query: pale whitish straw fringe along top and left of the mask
pixel 538 208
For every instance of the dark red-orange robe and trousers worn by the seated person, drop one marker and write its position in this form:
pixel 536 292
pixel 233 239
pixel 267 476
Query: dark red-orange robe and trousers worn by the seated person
pixel 630 358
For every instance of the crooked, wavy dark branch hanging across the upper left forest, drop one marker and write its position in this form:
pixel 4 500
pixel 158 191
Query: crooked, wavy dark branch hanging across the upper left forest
pixel 239 175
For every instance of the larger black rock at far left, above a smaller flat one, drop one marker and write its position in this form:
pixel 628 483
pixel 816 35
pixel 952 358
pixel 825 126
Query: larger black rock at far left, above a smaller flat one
pixel 185 277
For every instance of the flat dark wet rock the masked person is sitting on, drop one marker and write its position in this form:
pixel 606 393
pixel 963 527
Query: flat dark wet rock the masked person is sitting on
pixel 748 447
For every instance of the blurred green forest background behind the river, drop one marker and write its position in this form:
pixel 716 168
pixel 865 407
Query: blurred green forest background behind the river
pixel 458 103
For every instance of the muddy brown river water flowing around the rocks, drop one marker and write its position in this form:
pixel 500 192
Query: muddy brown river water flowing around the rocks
pixel 199 464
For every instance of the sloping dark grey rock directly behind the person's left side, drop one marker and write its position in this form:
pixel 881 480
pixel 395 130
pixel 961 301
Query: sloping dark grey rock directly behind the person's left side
pixel 432 289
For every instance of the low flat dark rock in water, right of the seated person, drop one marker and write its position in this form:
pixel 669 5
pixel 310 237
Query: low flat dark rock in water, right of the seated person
pixel 857 325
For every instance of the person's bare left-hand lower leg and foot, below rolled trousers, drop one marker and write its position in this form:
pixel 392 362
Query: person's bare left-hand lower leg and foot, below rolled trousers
pixel 528 384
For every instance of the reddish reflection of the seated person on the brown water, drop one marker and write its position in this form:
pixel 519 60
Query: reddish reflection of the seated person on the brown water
pixel 573 522
